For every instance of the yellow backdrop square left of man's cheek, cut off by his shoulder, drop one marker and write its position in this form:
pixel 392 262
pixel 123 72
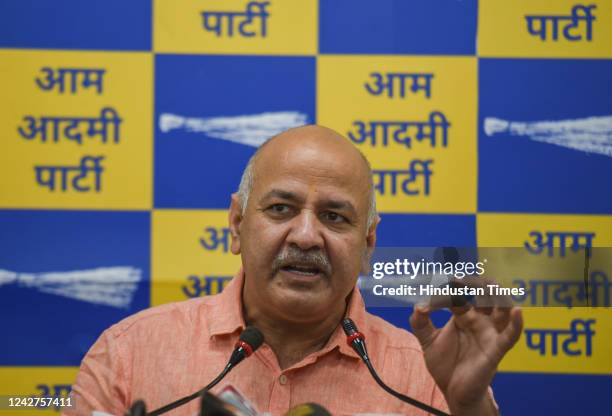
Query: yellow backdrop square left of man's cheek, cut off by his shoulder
pixel 191 254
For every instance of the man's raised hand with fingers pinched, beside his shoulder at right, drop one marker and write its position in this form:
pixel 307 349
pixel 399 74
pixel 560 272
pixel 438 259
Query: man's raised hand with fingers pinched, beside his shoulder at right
pixel 463 356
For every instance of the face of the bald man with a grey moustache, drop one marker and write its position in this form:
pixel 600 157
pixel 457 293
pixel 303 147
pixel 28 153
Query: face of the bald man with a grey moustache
pixel 303 237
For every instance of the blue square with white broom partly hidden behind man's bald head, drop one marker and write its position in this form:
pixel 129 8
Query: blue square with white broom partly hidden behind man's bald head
pixel 211 114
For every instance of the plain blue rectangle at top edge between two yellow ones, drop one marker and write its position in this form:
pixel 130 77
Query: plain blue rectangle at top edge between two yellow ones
pixel 423 27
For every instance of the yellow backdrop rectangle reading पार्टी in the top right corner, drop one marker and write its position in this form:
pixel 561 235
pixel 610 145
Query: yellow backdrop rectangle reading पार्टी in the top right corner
pixel 544 28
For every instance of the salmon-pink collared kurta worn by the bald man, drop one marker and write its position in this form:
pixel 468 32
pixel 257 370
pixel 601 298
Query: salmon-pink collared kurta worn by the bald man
pixel 167 352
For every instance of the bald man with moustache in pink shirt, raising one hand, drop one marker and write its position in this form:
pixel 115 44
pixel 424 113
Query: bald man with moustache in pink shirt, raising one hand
pixel 304 223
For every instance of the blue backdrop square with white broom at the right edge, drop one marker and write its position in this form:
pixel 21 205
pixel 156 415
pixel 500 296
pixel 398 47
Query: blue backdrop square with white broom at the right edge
pixel 545 136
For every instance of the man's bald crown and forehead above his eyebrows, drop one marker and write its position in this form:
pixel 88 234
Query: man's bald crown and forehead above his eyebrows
pixel 315 165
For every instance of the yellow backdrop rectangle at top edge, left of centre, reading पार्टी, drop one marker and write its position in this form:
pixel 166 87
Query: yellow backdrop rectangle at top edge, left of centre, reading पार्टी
pixel 288 27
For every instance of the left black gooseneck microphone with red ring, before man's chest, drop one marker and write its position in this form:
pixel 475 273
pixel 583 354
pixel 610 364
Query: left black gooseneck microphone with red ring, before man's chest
pixel 250 339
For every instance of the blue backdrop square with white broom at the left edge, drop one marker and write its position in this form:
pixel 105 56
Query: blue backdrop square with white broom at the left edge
pixel 101 265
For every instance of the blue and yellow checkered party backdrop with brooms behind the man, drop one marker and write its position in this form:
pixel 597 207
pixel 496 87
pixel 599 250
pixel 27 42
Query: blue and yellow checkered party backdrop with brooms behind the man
pixel 125 126
